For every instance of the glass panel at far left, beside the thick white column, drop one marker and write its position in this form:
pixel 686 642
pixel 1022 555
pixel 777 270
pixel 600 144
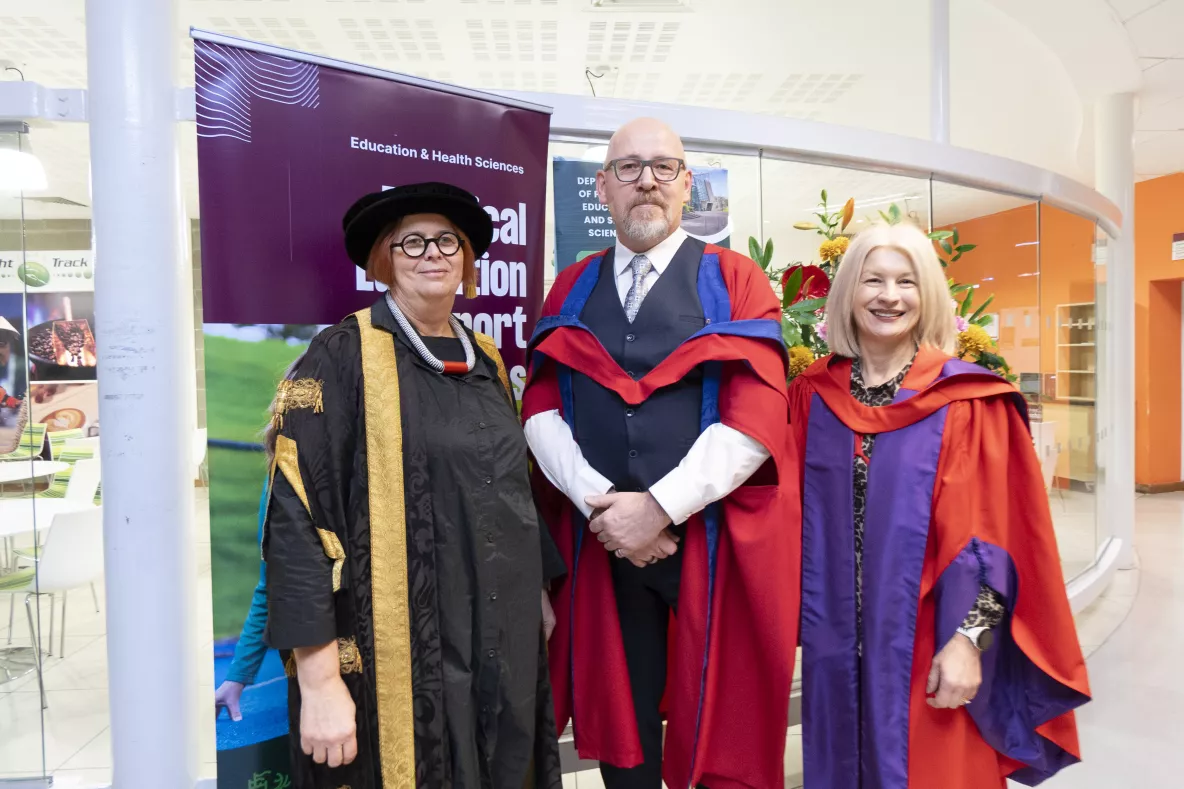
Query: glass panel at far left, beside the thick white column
pixel 53 652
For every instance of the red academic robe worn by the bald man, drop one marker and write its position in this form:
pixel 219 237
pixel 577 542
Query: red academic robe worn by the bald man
pixel 737 737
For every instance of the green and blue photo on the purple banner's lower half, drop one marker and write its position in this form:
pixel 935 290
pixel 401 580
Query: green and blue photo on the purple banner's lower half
pixel 244 364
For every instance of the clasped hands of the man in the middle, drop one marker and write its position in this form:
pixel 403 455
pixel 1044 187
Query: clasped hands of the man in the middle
pixel 634 524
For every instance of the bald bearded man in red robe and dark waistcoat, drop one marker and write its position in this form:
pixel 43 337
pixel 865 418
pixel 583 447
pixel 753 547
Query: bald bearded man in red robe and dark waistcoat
pixel 657 413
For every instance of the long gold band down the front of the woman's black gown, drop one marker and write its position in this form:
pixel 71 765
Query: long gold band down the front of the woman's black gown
pixel 389 559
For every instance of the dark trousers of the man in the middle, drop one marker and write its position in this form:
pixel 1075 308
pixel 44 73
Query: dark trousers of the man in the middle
pixel 646 598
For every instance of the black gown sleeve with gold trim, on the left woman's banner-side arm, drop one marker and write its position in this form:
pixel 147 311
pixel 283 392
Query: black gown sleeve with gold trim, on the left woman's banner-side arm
pixel 306 529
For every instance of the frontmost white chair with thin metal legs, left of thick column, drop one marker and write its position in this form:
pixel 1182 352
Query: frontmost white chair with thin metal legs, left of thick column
pixel 73 557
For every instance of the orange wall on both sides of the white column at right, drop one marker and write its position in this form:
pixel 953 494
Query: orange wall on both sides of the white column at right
pixel 1067 277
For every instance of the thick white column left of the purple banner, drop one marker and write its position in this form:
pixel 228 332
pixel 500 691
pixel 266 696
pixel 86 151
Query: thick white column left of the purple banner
pixel 146 384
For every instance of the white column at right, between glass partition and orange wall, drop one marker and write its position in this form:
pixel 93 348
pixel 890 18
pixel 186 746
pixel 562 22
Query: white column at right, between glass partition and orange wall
pixel 1116 181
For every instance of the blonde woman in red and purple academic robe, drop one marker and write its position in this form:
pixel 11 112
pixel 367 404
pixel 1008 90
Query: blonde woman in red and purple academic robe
pixel 938 645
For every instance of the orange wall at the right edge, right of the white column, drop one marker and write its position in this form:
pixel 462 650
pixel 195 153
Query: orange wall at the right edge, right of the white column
pixel 1159 215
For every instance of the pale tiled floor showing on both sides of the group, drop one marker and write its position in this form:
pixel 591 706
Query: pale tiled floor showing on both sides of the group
pixel 78 736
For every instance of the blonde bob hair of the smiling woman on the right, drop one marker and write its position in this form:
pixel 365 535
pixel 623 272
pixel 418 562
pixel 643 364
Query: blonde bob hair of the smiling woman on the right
pixel 936 325
